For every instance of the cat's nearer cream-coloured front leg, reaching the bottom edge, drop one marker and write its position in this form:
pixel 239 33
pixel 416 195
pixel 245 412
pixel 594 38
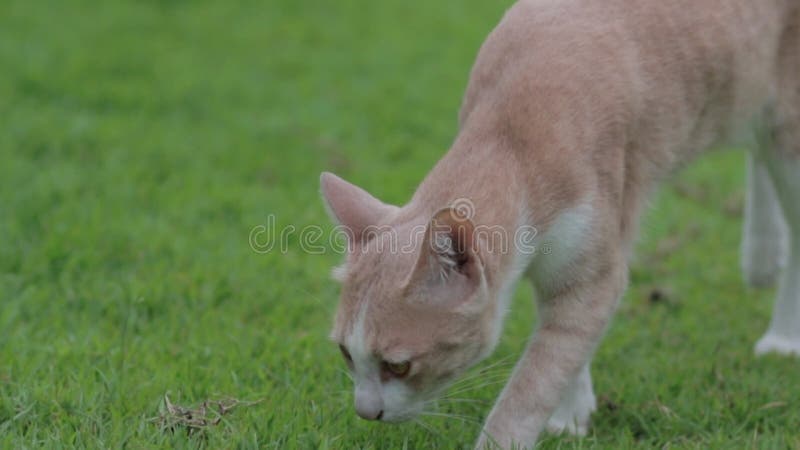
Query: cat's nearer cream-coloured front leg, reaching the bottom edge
pixel 572 322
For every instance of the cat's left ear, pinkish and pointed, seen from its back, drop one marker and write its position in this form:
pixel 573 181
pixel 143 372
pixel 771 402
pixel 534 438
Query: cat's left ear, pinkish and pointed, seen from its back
pixel 350 206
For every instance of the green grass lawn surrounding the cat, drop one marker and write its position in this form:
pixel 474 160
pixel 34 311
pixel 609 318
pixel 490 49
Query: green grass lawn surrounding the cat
pixel 142 142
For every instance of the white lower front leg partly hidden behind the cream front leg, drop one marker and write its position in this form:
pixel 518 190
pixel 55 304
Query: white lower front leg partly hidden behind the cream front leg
pixel 577 405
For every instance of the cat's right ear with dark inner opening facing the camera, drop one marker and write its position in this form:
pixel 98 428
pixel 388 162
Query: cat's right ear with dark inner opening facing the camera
pixel 449 257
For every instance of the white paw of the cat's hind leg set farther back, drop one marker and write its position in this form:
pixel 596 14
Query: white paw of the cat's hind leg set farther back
pixel 762 260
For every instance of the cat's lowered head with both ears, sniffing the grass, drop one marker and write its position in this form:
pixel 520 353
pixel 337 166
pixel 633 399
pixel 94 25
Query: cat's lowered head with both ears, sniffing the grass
pixel 416 310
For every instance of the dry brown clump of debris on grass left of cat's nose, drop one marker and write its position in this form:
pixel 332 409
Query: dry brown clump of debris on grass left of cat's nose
pixel 208 414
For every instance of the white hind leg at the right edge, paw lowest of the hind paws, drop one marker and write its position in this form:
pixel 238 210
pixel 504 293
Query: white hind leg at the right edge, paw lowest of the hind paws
pixel 783 335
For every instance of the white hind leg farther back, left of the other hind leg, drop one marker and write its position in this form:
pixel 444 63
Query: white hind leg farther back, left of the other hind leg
pixel 764 240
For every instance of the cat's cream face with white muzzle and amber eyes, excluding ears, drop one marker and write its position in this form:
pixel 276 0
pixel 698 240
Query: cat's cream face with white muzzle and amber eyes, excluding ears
pixel 403 343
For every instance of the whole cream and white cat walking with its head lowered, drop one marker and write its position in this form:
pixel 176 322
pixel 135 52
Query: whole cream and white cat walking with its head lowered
pixel 575 110
